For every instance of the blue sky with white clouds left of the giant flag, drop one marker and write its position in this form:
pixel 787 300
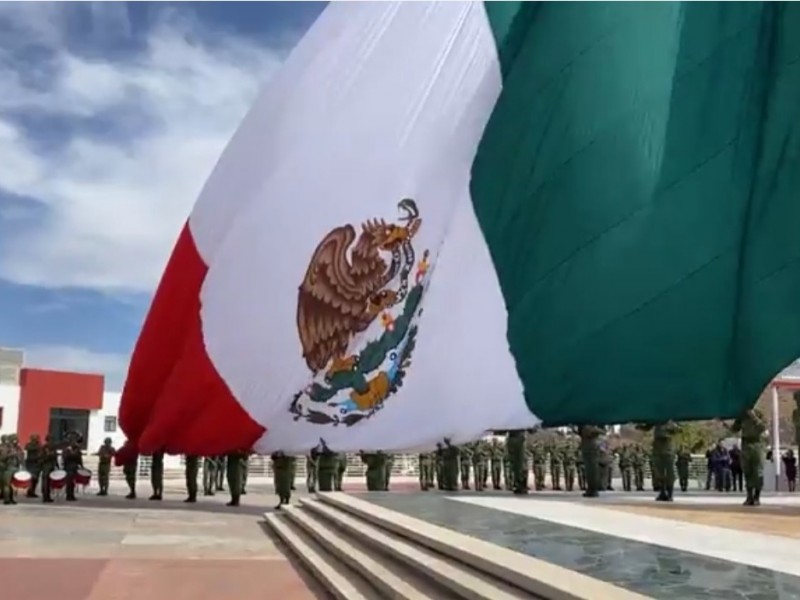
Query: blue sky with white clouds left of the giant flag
pixel 111 117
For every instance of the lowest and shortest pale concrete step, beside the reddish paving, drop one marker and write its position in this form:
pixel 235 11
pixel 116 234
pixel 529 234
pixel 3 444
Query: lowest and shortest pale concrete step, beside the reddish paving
pixel 335 576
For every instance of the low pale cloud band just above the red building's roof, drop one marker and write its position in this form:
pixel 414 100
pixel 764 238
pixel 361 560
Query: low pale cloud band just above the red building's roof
pixel 79 360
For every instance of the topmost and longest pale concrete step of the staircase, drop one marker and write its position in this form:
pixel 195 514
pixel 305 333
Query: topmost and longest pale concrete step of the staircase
pixel 520 573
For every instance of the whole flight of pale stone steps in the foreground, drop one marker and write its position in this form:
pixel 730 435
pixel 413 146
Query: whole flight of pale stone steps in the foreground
pixel 360 551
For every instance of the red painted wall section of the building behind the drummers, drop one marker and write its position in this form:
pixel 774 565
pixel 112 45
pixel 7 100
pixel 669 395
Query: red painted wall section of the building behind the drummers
pixel 41 390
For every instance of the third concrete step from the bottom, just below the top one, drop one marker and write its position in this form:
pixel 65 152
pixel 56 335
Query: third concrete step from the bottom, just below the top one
pixel 450 578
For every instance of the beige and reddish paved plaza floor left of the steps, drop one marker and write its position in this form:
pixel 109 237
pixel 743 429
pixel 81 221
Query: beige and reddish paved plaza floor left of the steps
pixel 116 549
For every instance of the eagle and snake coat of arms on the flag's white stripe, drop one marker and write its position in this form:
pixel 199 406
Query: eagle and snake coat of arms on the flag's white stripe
pixel 357 312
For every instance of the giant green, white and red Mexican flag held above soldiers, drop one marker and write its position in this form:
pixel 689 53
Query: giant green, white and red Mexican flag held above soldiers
pixel 443 218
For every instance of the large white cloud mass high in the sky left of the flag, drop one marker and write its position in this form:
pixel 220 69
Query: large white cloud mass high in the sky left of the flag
pixel 114 204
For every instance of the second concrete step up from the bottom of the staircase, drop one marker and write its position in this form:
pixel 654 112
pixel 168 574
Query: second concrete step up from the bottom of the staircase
pixel 391 579
